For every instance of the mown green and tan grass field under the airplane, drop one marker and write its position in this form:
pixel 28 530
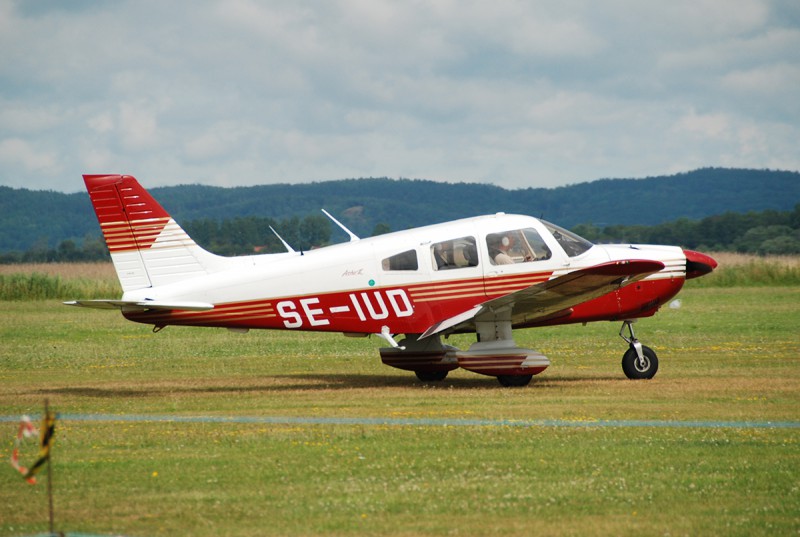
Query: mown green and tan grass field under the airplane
pixel 729 354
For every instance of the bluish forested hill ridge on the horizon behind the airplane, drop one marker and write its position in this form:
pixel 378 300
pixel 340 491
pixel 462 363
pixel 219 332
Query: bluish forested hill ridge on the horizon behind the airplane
pixel 45 218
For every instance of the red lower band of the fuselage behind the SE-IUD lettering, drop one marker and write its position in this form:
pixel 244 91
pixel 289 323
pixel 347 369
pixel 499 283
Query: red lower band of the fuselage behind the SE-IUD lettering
pixel 408 309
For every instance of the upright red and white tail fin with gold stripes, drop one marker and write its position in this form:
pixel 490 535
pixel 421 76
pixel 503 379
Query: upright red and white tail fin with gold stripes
pixel 147 246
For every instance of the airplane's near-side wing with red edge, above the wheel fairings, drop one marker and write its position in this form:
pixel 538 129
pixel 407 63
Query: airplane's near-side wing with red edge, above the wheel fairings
pixel 547 299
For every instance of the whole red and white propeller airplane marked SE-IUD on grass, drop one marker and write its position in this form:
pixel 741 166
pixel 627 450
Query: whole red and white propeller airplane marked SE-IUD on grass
pixel 485 275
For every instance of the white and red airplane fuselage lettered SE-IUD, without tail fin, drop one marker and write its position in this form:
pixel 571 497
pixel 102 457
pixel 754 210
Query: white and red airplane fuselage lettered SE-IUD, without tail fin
pixel 355 291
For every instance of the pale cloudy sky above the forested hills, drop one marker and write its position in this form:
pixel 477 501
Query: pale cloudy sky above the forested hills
pixel 513 93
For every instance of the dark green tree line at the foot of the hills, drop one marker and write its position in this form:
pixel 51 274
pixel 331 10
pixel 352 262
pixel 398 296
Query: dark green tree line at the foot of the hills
pixel 764 233
